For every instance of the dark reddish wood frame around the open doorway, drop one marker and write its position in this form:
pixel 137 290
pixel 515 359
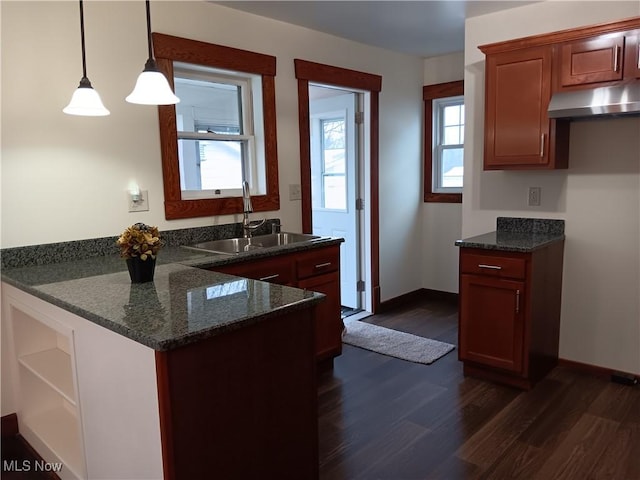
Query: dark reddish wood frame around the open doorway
pixel 311 72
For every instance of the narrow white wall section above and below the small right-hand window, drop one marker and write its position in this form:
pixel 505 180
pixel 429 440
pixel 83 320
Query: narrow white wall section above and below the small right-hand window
pixel 441 222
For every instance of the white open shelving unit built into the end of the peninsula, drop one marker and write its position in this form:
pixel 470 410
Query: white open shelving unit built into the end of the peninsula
pixel 49 415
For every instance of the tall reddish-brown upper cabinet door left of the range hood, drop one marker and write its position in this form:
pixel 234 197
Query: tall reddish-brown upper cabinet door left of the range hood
pixel 517 128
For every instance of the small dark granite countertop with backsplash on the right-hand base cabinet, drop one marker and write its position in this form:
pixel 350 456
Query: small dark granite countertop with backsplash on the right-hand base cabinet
pixel 517 235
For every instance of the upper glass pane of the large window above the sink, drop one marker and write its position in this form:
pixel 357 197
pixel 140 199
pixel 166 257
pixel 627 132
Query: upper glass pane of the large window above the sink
pixel 208 106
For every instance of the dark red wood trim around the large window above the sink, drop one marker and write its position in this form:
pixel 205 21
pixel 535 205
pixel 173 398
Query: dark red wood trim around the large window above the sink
pixel 168 49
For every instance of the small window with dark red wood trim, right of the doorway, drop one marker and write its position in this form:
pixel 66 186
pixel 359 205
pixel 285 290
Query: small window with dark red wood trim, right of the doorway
pixel 444 142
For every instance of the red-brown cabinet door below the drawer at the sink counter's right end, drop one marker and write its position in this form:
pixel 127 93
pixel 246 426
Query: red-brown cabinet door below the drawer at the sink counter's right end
pixel 328 320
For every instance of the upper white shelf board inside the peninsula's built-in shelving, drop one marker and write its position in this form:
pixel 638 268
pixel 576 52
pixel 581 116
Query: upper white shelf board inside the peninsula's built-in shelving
pixel 52 366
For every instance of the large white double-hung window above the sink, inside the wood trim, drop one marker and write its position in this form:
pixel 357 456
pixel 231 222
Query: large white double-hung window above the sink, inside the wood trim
pixel 218 126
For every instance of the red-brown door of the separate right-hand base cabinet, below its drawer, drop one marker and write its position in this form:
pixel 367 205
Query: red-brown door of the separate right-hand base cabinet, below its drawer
pixel 491 326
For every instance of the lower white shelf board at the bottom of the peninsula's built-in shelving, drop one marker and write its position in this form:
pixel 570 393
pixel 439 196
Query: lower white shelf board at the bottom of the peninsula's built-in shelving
pixel 57 429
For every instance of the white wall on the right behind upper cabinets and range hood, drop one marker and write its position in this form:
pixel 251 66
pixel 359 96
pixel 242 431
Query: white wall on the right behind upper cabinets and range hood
pixel 598 196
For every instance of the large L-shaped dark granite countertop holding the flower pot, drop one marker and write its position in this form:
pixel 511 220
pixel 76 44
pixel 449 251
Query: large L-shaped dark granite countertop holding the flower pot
pixel 185 303
